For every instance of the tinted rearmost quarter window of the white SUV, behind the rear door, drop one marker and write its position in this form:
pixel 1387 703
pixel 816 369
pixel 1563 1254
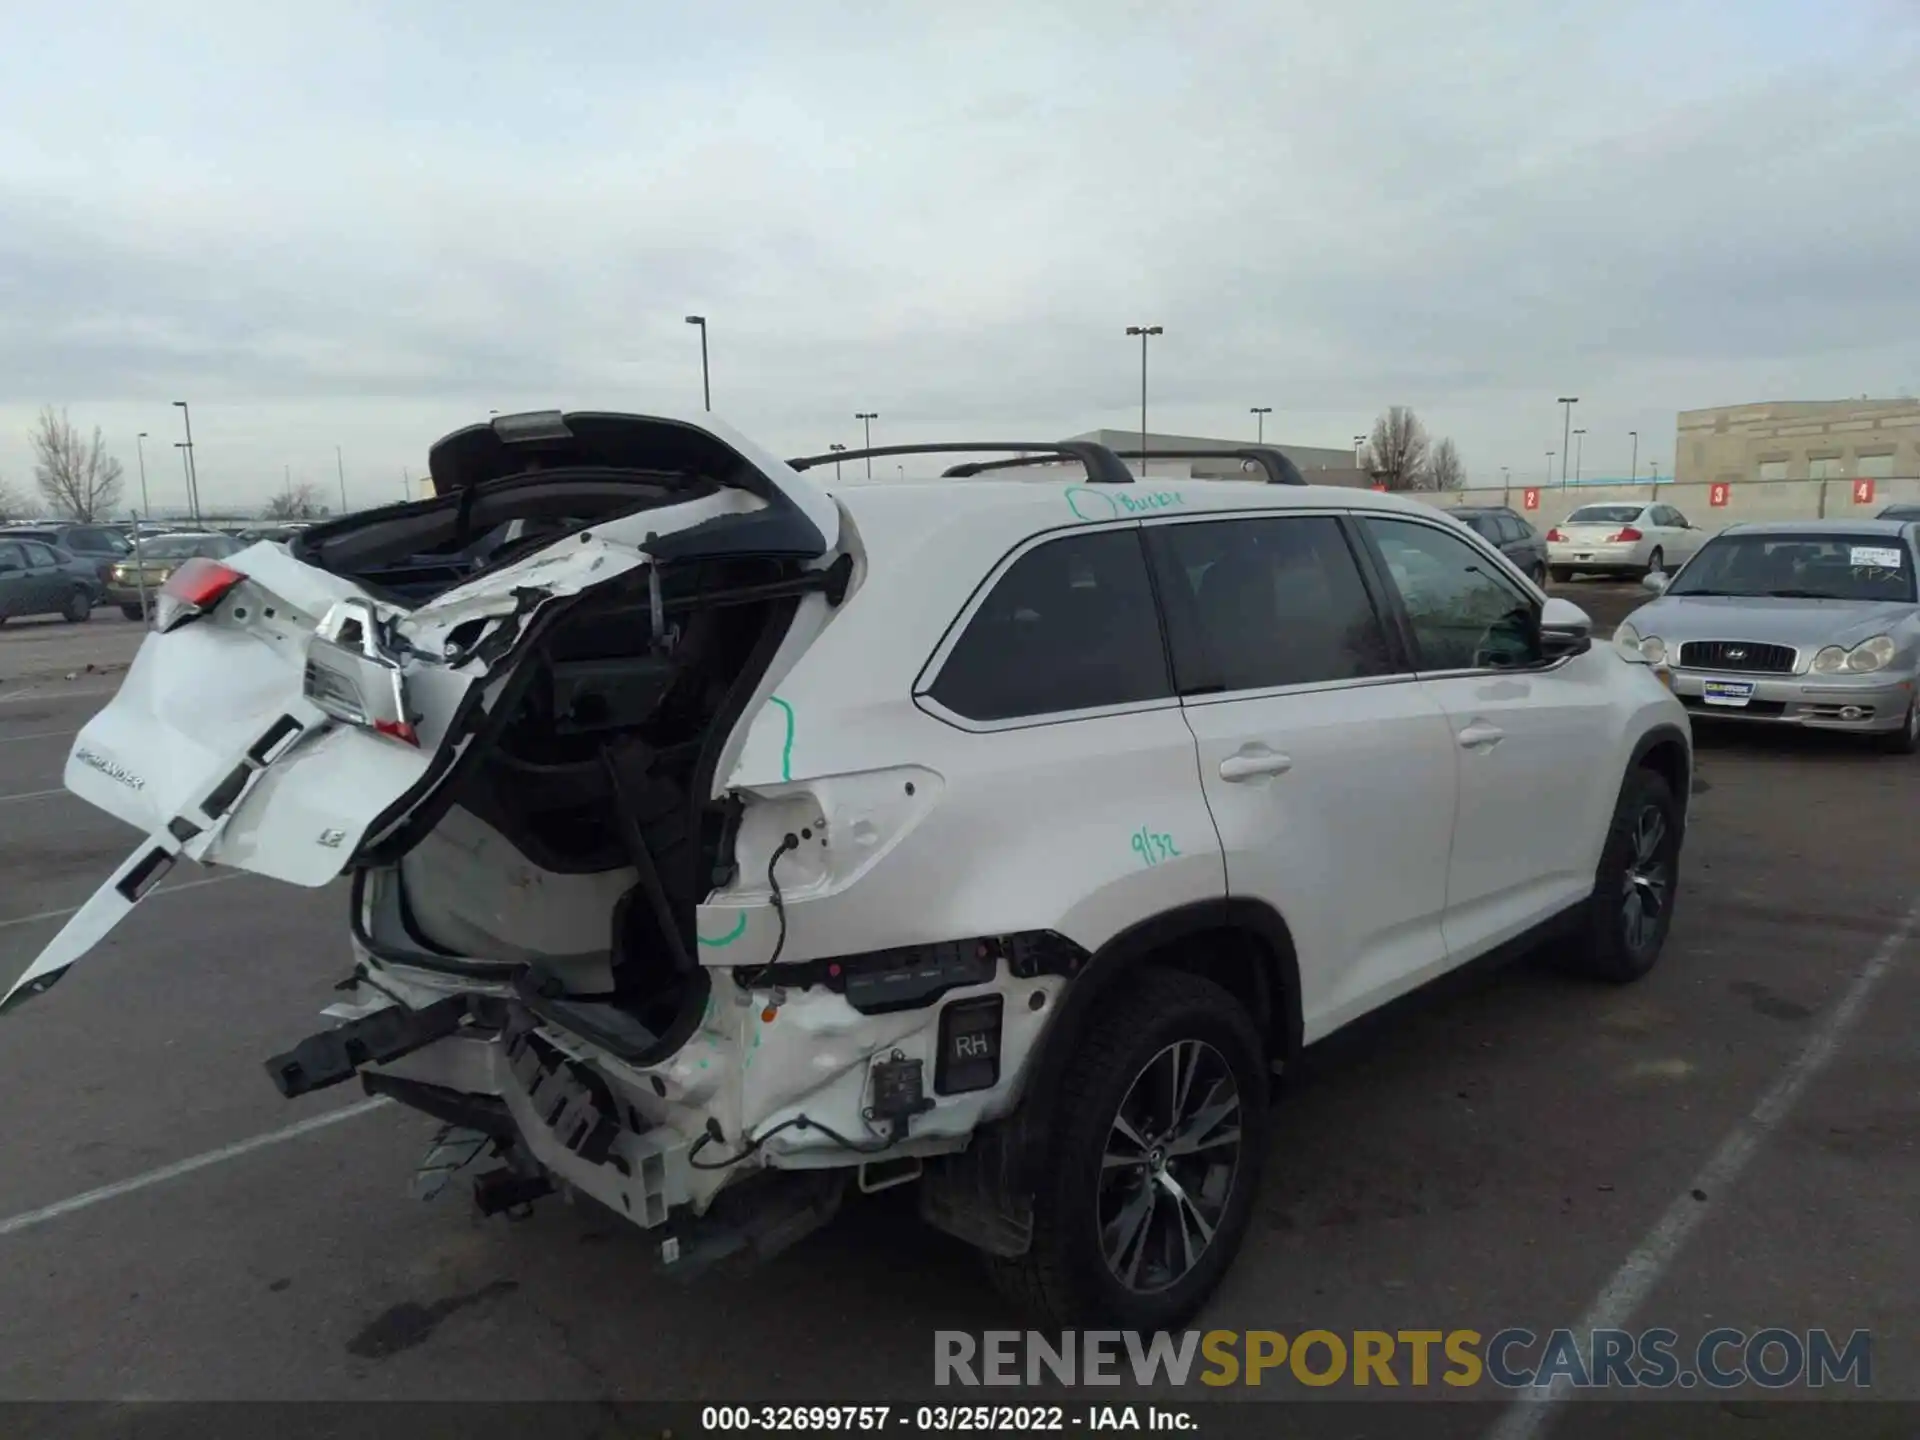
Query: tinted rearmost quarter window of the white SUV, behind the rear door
pixel 1068 627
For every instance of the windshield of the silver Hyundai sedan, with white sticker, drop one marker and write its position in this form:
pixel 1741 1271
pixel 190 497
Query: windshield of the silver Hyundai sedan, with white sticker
pixel 1802 567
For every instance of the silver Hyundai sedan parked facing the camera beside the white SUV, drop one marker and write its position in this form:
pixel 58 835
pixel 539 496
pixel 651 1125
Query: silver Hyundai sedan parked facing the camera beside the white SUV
pixel 1804 623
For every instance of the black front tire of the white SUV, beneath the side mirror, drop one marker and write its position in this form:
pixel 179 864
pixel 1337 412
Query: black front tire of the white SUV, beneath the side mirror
pixel 1637 884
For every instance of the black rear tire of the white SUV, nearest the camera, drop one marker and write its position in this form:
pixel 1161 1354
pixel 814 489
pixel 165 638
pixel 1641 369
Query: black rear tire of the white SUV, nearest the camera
pixel 1140 1040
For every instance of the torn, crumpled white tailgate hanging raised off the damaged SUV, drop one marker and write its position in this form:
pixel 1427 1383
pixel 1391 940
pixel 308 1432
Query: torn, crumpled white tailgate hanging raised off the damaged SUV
pixel 283 715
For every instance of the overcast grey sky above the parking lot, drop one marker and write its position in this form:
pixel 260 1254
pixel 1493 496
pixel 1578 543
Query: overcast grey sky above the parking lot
pixel 364 226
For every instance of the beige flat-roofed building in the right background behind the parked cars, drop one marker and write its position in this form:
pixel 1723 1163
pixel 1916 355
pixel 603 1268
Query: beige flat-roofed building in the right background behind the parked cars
pixel 1800 441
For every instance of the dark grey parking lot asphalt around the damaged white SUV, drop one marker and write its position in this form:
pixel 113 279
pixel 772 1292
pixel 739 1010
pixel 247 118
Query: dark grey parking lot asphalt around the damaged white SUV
pixel 1733 1141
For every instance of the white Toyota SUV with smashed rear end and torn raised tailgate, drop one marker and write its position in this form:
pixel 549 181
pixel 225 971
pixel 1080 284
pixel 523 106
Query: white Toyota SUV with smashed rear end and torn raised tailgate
pixel 721 840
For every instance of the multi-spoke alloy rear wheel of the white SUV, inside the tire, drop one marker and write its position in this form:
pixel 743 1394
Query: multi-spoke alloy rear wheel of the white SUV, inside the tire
pixel 1170 1166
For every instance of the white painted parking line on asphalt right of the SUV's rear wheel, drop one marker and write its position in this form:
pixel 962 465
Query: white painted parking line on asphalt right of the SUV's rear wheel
pixel 1633 1284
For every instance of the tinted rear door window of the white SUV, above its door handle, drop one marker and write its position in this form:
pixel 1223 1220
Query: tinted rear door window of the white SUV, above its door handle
pixel 1266 602
